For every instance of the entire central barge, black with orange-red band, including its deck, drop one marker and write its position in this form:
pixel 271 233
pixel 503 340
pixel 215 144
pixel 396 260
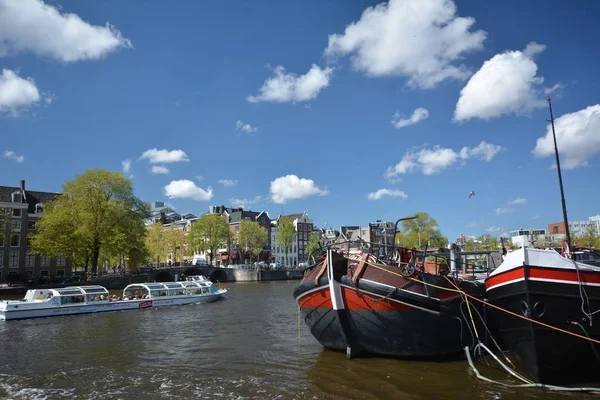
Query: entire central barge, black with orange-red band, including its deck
pixel 356 304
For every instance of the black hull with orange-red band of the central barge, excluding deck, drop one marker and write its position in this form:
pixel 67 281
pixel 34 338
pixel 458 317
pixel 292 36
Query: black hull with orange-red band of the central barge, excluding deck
pixel 401 324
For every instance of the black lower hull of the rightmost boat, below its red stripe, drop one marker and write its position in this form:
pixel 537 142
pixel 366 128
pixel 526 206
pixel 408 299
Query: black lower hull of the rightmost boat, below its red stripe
pixel 550 356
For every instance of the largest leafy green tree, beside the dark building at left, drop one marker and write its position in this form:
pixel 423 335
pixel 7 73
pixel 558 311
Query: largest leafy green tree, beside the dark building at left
pixel 82 222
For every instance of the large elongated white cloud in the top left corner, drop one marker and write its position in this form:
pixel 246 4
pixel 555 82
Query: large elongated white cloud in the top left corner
pixel 33 26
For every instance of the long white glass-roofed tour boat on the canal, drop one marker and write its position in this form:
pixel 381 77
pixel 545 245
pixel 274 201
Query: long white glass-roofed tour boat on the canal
pixel 93 299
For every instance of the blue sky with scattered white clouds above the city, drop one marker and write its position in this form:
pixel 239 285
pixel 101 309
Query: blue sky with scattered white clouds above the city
pixel 324 93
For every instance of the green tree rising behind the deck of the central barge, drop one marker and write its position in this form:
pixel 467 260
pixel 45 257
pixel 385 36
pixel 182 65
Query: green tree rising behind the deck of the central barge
pixel 420 231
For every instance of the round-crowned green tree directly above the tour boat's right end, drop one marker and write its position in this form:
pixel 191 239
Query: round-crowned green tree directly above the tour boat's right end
pixel 208 233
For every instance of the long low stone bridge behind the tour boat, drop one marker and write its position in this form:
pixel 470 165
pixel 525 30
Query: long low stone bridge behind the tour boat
pixel 222 274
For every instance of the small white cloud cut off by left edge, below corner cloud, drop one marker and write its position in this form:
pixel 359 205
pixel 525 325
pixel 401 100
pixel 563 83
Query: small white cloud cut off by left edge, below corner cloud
pixel 16 93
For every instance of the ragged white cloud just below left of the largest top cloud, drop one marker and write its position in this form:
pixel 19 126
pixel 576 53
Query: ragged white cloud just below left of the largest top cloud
pixel 287 87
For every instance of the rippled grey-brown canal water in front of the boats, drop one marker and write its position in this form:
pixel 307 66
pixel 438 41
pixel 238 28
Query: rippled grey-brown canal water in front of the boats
pixel 248 346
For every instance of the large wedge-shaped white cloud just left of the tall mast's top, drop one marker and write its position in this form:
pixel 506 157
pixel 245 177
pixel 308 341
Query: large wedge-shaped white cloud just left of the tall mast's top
pixel 506 84
